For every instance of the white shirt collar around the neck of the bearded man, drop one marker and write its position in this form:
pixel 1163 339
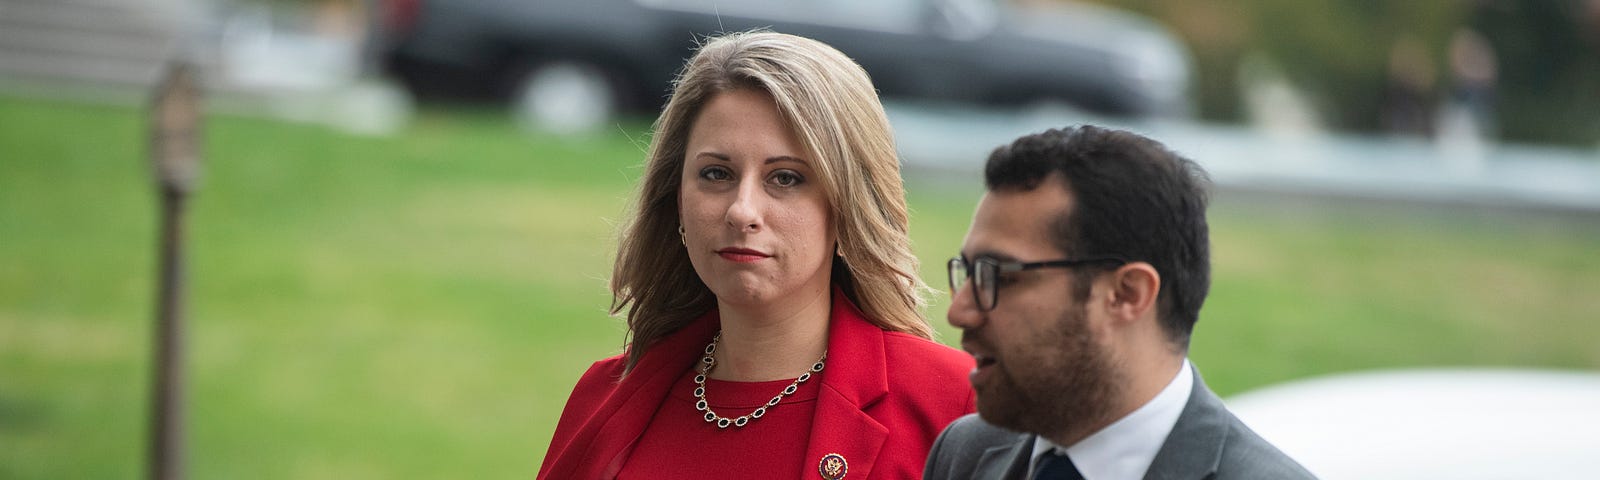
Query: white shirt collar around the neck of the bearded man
pixel 1127 447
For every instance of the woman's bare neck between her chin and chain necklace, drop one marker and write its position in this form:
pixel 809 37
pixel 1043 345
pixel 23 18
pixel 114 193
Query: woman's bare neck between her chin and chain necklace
pixel 774 342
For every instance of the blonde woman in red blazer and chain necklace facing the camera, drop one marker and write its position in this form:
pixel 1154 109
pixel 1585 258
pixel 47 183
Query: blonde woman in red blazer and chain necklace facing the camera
pixel 770 289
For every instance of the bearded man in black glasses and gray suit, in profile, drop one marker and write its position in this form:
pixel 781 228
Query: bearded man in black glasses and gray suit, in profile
pixel 1076 290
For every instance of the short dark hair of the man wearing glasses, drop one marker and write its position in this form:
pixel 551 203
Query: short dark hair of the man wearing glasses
pixel 1134 199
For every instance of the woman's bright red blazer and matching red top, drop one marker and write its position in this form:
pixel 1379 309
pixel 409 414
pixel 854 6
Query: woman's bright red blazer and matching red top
pixel 879 406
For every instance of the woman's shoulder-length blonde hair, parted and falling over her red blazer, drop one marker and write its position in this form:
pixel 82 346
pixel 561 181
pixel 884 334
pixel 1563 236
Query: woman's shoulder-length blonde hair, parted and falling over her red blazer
pixel 836 114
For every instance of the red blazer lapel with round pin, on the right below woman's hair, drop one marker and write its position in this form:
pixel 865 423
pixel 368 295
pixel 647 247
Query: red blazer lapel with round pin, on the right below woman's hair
pixel 855 378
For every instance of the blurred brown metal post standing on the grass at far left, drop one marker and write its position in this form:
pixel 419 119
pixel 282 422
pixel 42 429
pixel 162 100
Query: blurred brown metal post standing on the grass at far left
pixel 175 153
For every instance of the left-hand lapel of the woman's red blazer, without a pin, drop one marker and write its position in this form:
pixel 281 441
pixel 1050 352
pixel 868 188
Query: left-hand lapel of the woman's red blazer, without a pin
pixel 623 415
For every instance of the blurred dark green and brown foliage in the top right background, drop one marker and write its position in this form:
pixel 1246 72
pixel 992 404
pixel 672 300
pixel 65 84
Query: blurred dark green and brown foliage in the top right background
pixel 1340 54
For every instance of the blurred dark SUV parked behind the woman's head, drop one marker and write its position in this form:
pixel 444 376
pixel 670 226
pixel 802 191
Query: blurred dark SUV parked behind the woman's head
pixel 564 58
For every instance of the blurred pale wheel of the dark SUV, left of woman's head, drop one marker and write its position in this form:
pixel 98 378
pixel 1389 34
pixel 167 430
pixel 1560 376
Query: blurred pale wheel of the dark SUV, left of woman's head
pixel 566 97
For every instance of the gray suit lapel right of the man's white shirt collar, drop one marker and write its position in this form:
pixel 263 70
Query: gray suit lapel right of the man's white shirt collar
pixel 1194 449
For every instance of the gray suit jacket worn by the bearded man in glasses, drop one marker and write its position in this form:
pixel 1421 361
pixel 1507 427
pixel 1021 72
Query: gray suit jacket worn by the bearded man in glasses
pixel 1209 442
